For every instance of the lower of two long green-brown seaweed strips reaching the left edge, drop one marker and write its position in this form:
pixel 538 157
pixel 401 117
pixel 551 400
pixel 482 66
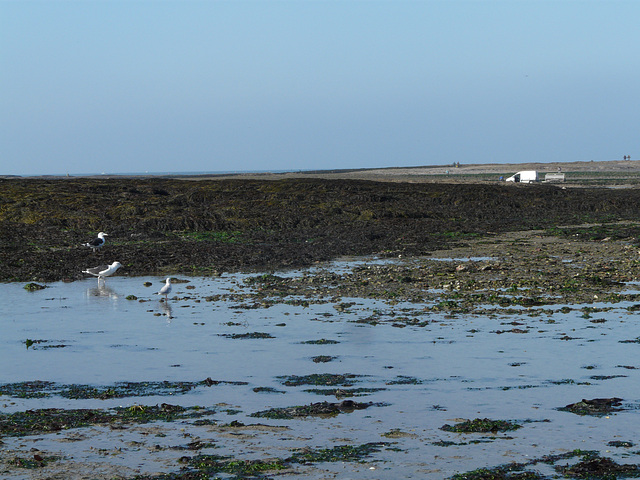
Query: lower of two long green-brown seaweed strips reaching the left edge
pixel 50 420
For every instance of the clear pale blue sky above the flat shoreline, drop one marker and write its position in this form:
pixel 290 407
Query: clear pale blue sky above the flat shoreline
pixel 156 86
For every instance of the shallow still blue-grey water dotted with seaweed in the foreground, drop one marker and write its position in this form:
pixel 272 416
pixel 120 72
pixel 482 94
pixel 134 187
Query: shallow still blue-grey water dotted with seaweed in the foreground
pixel 453 368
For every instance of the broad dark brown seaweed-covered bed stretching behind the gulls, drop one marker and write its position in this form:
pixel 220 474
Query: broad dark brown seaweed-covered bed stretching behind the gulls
pixel 204 227
